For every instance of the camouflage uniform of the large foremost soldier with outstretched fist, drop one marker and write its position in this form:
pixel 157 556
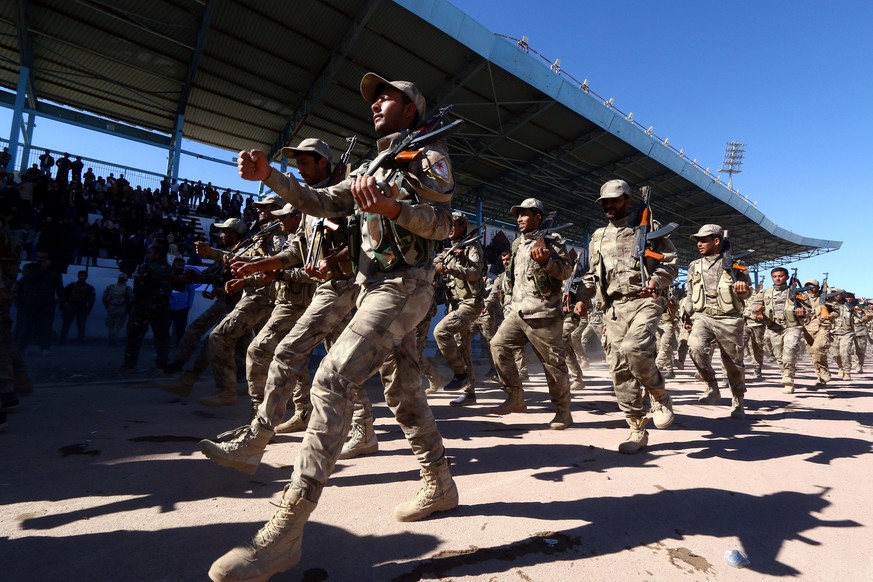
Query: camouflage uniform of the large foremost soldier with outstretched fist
pixel 396 292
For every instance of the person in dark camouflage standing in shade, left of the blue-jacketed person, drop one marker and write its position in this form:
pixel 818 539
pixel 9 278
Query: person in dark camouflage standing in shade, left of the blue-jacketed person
pixel 151 307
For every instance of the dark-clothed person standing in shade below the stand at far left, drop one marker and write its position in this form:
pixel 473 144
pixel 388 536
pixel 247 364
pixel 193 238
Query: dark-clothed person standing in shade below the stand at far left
pixel 39 289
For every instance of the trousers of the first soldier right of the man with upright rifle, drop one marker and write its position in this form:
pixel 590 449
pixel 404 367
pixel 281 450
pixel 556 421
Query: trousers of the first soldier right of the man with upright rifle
pixel 727 333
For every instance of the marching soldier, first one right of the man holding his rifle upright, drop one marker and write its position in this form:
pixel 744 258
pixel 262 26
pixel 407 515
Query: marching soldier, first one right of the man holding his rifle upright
pixel 716 298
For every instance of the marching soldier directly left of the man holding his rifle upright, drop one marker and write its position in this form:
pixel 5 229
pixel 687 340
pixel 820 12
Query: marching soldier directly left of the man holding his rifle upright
pixel 537 269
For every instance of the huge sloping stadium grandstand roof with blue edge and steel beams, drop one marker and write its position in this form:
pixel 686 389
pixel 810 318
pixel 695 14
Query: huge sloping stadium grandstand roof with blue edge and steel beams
pixel 240 74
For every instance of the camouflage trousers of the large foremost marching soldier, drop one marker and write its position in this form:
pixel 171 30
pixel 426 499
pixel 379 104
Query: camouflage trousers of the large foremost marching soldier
pixel 380 337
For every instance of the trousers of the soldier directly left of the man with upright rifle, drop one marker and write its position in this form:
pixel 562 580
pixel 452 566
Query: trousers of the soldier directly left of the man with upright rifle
pixel 548 345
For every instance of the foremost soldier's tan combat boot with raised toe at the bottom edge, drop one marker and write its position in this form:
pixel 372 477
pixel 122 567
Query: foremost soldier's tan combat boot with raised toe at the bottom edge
pixel 275 548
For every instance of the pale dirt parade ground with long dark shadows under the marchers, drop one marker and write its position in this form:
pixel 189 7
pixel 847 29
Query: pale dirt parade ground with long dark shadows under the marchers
pixel 103 480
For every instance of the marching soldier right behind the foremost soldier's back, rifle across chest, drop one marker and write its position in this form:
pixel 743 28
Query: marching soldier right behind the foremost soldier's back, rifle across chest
pixel 462 270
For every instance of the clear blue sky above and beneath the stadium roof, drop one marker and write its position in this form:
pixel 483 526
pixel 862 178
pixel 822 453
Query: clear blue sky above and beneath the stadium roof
pixel 791 80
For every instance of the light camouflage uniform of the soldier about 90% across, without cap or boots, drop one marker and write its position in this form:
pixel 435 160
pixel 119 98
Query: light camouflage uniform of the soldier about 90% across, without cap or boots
pixel 784 332
